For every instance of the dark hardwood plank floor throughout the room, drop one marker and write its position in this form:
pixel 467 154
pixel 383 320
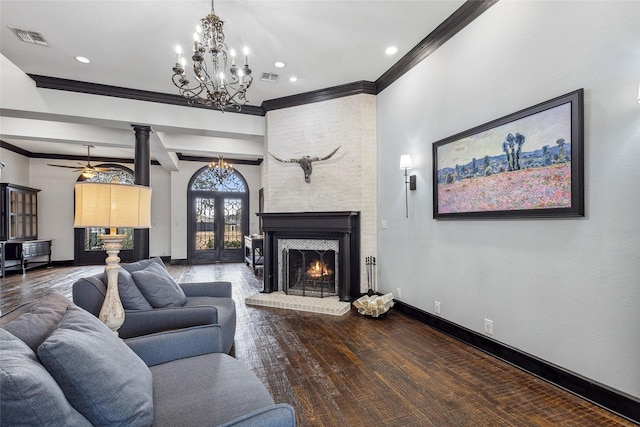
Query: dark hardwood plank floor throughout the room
pixel 355 371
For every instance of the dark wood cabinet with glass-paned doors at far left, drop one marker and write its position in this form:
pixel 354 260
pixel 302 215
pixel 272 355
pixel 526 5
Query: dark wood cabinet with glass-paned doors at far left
pixel 19 213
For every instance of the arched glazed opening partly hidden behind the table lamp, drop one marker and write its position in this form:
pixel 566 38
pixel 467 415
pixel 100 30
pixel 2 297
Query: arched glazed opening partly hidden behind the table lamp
pixel 88 247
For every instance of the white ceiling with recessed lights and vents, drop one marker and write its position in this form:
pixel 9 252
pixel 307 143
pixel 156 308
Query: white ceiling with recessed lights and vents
pixel 131 44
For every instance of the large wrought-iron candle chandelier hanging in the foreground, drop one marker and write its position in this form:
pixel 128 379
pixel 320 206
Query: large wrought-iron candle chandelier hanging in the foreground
pixel 214 84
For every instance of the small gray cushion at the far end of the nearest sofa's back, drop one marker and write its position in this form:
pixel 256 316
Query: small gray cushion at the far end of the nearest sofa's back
pixel 34 326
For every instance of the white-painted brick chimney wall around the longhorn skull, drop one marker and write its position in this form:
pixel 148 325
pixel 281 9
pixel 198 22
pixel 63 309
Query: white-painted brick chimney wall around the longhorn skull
pixel 345 182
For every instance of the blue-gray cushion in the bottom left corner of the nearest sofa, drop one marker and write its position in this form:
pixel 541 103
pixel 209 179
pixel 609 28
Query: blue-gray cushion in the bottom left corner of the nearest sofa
pixel 28 393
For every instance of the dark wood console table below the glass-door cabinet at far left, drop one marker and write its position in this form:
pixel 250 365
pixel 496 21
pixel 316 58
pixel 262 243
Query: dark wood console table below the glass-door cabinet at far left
pixel 24 255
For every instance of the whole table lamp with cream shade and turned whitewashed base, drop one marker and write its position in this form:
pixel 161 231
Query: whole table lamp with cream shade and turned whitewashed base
pixel 112 206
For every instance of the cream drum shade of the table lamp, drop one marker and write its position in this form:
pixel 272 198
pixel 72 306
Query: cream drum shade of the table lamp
pixel 112 205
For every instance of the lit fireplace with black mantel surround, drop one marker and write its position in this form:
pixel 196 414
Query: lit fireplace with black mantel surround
pixel 312 253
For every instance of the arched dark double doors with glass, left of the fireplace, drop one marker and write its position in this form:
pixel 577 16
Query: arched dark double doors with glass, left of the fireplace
pixel 217 217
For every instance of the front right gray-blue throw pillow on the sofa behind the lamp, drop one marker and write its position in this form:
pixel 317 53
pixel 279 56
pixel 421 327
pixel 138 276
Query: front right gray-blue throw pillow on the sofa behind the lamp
pixel 158 287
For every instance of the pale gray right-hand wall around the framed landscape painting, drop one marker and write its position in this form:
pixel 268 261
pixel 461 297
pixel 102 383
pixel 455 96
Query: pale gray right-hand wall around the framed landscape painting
pixel 564 290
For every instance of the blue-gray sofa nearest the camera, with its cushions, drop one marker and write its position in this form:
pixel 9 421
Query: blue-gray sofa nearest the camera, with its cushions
pixel 60 366
